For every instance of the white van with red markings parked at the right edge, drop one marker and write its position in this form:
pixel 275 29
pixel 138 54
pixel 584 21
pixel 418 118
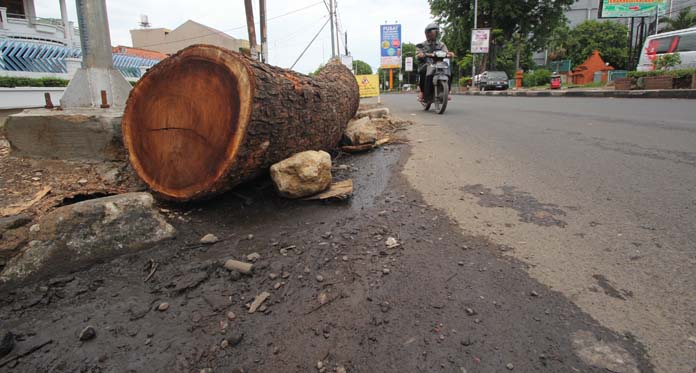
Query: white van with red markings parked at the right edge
pixel 682 42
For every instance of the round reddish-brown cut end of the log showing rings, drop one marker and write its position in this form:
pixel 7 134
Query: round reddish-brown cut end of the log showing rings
pixel 172 122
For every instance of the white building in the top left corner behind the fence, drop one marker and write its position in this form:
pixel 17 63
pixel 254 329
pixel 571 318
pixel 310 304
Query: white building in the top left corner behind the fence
pixel 19 21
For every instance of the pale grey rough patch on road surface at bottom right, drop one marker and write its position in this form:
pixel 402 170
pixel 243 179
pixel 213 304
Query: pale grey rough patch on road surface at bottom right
pixel 603 354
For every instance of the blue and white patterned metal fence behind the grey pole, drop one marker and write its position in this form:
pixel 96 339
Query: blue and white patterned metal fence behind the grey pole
pixel 37 57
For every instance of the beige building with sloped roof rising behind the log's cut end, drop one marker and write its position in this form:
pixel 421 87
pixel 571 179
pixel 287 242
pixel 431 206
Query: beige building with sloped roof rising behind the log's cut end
pixel 190 32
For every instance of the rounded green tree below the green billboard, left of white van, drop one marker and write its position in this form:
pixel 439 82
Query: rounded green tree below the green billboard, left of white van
pixel 609 38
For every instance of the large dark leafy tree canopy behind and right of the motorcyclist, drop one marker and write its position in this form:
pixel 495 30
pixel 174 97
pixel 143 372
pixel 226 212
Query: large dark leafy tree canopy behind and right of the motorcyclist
pixel 533 20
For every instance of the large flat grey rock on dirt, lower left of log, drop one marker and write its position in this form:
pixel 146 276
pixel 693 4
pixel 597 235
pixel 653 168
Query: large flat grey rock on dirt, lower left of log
pixel 77 235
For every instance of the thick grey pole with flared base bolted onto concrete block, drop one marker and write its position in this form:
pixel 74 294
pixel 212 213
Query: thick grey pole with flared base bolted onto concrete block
pixel 97 73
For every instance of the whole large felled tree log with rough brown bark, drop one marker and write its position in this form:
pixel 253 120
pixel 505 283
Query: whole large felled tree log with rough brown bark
pixel 207 119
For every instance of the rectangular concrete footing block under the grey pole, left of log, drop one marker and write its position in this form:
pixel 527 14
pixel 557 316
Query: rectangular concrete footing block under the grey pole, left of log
pixel 74 134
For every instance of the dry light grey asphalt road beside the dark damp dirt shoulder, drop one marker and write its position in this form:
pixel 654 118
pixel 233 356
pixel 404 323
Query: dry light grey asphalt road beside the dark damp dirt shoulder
pixel 596 196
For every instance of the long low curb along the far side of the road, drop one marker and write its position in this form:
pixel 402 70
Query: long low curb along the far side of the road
pixel 667 93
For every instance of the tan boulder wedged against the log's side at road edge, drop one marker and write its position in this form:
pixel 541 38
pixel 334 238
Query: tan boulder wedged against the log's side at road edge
pixel 302 175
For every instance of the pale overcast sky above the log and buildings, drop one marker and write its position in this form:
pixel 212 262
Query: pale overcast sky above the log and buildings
pixel 288 35
